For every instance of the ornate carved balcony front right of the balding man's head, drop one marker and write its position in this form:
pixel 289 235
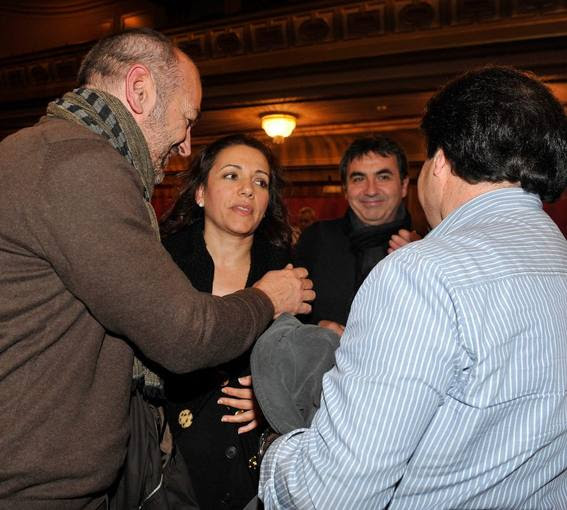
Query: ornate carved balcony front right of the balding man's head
pixel 351 22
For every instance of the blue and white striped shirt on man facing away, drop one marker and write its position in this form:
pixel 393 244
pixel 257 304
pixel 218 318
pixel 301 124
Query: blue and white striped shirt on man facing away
pixel 449 389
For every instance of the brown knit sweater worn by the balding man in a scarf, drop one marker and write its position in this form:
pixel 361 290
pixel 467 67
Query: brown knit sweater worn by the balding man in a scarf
pixel 80 271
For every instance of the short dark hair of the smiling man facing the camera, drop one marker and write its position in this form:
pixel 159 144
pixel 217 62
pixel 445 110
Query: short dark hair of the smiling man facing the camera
pixel 376 144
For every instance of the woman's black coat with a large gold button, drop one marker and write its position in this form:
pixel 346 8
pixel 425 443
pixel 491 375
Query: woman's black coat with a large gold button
pixel 220 461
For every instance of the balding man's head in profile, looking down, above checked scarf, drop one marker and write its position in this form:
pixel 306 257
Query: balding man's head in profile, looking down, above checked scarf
pixel 158 84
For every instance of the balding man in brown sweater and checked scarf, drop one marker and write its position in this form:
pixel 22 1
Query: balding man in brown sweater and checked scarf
pixel 85 281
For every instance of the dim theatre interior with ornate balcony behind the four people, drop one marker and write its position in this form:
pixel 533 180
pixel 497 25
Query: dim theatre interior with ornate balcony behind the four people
pixel 343 68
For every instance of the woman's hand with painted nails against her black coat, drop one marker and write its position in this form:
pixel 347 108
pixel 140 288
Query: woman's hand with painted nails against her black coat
pixel 244 400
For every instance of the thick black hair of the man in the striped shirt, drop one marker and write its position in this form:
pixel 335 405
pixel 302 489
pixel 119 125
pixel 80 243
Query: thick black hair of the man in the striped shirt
pixel 498 124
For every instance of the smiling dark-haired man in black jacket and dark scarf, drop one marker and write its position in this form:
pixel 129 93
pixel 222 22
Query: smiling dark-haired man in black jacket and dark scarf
pixel 340 253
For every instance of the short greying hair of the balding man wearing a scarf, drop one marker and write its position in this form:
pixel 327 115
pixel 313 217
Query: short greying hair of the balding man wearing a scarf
pixel 110 57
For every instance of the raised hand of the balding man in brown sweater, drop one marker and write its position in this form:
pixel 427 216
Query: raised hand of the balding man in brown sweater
pixel 289 290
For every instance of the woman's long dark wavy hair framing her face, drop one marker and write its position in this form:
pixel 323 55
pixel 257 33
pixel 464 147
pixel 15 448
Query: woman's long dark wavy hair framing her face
pixel 274 226
